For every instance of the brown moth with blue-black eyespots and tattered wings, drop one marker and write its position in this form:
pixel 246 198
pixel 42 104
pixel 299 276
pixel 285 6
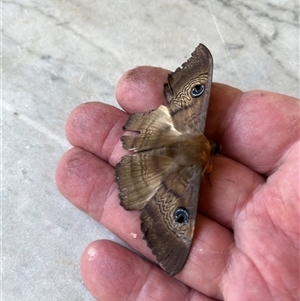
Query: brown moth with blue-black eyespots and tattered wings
pixel 162 177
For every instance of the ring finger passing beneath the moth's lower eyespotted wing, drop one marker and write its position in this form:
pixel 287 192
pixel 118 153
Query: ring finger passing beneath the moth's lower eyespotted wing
pixel 90 185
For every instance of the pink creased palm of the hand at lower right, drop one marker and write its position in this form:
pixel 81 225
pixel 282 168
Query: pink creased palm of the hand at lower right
pixel 264 261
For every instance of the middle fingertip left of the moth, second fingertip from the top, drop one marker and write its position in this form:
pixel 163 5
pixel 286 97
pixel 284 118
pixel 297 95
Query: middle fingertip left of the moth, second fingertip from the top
pixel 97 127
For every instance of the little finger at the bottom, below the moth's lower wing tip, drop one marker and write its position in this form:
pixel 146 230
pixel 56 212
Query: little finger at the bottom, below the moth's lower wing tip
pixel 112 272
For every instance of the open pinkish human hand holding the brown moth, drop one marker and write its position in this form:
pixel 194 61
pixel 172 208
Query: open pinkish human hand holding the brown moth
pixel 246 240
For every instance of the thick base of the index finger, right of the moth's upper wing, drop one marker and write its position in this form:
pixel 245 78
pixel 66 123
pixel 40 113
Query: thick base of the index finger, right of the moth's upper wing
pixel 255 128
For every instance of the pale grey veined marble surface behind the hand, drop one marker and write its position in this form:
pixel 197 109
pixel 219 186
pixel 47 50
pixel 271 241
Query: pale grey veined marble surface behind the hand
pixel 58 54
